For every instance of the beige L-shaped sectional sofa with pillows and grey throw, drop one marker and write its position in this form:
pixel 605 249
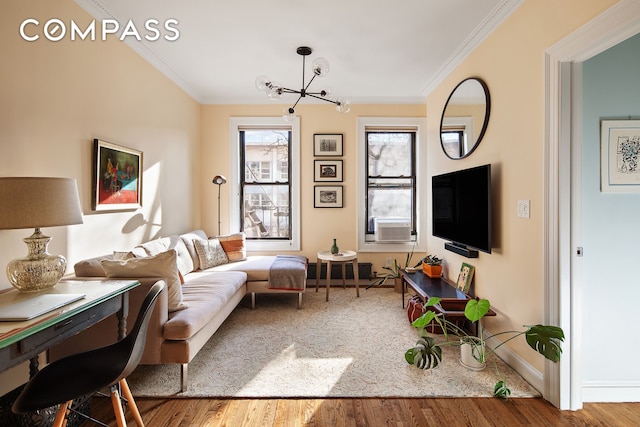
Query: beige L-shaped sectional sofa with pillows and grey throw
pixel 206 279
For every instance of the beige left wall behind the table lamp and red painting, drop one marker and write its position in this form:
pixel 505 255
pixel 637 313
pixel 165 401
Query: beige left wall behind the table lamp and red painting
pixel 56 97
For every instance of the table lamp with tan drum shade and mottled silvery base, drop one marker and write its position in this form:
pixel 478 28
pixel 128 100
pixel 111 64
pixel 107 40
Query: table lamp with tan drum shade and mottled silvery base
pixel 34 203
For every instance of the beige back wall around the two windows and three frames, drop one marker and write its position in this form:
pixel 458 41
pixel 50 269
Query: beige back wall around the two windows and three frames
pixel 319 226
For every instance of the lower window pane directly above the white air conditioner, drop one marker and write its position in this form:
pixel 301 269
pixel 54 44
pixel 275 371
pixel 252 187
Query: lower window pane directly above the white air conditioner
pixel 387 202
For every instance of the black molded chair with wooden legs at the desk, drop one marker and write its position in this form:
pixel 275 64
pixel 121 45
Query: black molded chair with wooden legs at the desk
pixel 85 373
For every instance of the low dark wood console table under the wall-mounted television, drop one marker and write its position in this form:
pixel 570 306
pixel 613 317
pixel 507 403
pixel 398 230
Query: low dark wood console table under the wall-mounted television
pixel 452 300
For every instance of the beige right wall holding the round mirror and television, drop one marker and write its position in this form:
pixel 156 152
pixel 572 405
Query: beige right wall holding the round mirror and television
pixel 511 61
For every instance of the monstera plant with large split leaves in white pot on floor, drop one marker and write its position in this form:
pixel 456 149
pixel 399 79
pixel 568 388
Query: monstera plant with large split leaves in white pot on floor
pixel 427 353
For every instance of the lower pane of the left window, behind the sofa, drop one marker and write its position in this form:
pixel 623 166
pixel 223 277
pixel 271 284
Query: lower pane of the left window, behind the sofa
pixel 266 211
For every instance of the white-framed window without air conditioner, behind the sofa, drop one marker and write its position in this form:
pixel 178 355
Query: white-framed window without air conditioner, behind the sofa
pixel 265 172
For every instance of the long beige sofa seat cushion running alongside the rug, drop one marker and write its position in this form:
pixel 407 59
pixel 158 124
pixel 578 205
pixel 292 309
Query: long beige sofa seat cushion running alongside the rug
pixel 206 293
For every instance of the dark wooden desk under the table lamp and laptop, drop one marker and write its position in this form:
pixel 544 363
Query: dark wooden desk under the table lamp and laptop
pixel 20 341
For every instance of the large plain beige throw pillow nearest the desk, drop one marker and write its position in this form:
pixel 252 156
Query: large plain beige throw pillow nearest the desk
pixel 161 265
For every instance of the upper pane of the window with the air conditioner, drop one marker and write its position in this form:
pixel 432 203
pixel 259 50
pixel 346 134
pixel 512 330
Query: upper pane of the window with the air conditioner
pixel 390 154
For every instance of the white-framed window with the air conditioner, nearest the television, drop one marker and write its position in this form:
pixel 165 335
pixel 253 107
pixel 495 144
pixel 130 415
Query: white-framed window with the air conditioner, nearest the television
pixel 390 174
